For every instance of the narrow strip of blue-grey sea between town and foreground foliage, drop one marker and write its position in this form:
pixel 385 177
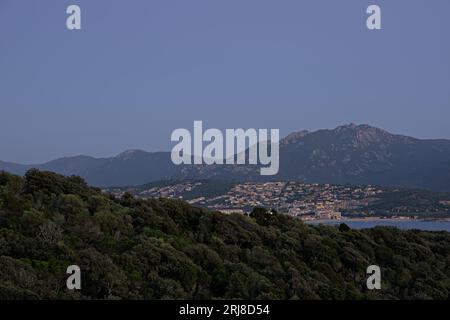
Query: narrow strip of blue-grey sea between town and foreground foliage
pixel 426 225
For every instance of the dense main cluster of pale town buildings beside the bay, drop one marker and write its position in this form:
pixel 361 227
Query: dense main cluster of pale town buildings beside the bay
pixel 307 201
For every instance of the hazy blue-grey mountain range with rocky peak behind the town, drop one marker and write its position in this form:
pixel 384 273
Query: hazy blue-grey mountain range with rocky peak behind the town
pixel 355 154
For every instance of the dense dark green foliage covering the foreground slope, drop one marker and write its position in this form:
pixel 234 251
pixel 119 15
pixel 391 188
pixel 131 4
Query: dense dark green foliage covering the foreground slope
pixel 166 249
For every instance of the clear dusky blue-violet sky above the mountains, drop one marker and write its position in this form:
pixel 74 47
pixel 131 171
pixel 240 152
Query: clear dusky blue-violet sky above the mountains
pixel 139 69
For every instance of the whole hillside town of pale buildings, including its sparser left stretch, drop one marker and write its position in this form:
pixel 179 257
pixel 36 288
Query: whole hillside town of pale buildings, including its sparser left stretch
pixel 306 201
